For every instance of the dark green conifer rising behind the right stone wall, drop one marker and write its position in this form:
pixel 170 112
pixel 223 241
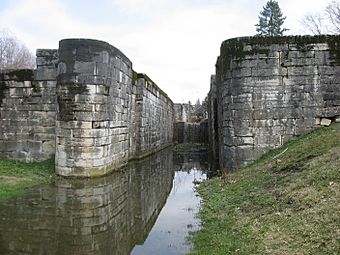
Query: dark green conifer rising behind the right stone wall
pixel 271 20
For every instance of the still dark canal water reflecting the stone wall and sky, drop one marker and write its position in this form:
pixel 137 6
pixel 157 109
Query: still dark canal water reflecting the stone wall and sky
pixel 147 208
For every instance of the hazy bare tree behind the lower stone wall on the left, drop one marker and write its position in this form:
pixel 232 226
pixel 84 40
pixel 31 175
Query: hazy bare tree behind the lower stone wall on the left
pixel 13 53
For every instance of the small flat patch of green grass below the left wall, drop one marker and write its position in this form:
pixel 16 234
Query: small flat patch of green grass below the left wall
pixel 15 176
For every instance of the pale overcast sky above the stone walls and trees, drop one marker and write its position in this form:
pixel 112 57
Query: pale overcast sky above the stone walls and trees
pixel 175 42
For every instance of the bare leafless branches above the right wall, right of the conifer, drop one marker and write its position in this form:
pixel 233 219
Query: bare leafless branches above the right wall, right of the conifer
pixel 325 22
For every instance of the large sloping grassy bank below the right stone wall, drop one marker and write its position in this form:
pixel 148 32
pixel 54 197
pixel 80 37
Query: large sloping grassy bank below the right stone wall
pixel 288 202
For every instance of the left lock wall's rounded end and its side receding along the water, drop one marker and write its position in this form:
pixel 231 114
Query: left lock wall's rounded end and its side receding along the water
pixel 107 114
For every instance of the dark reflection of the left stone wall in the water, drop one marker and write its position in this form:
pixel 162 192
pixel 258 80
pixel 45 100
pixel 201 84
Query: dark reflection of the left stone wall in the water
pixel 106 215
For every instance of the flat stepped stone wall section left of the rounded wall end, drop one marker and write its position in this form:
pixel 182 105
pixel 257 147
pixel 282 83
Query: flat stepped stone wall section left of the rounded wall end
pixel 27 110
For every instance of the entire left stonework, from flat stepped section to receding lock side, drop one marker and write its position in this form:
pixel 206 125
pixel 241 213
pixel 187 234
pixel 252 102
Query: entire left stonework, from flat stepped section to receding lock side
pixel 89 108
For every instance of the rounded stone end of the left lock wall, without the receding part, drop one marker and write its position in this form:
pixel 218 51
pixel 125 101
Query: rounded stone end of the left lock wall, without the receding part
pixel 94 95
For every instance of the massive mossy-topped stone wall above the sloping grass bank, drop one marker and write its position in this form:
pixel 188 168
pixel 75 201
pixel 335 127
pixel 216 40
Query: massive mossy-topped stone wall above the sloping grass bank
pixel 268 91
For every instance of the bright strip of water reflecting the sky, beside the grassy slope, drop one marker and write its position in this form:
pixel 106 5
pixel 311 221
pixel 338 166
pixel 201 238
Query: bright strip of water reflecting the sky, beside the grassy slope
pixel 178 217
